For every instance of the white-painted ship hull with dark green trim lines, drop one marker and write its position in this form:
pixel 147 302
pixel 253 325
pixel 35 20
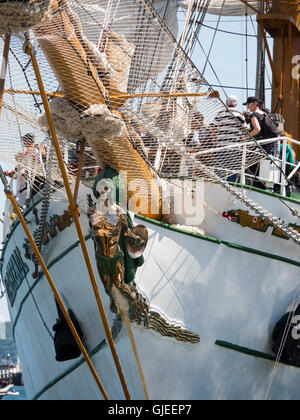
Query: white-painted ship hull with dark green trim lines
pixel 210 287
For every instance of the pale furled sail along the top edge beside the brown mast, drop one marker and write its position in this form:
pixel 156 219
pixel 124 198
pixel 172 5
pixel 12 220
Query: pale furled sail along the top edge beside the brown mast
pixel 228 7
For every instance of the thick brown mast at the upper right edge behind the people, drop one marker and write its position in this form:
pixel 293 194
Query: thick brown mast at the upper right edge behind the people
pixel 282 22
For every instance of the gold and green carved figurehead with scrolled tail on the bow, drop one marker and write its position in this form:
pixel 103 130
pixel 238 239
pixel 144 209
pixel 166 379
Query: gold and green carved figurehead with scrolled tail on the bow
pixel 109 225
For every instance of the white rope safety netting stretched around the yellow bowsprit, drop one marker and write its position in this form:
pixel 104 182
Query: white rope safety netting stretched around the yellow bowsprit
pixel 106 54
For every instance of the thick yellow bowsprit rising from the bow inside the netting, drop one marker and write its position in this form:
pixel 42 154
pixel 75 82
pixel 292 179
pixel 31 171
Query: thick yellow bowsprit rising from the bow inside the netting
pixel 84 83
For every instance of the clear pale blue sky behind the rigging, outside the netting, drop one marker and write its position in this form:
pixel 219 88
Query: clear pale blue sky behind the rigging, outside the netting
pixel 233 57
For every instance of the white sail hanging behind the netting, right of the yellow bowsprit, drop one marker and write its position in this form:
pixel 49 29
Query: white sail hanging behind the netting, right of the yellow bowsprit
pixel 148 56
